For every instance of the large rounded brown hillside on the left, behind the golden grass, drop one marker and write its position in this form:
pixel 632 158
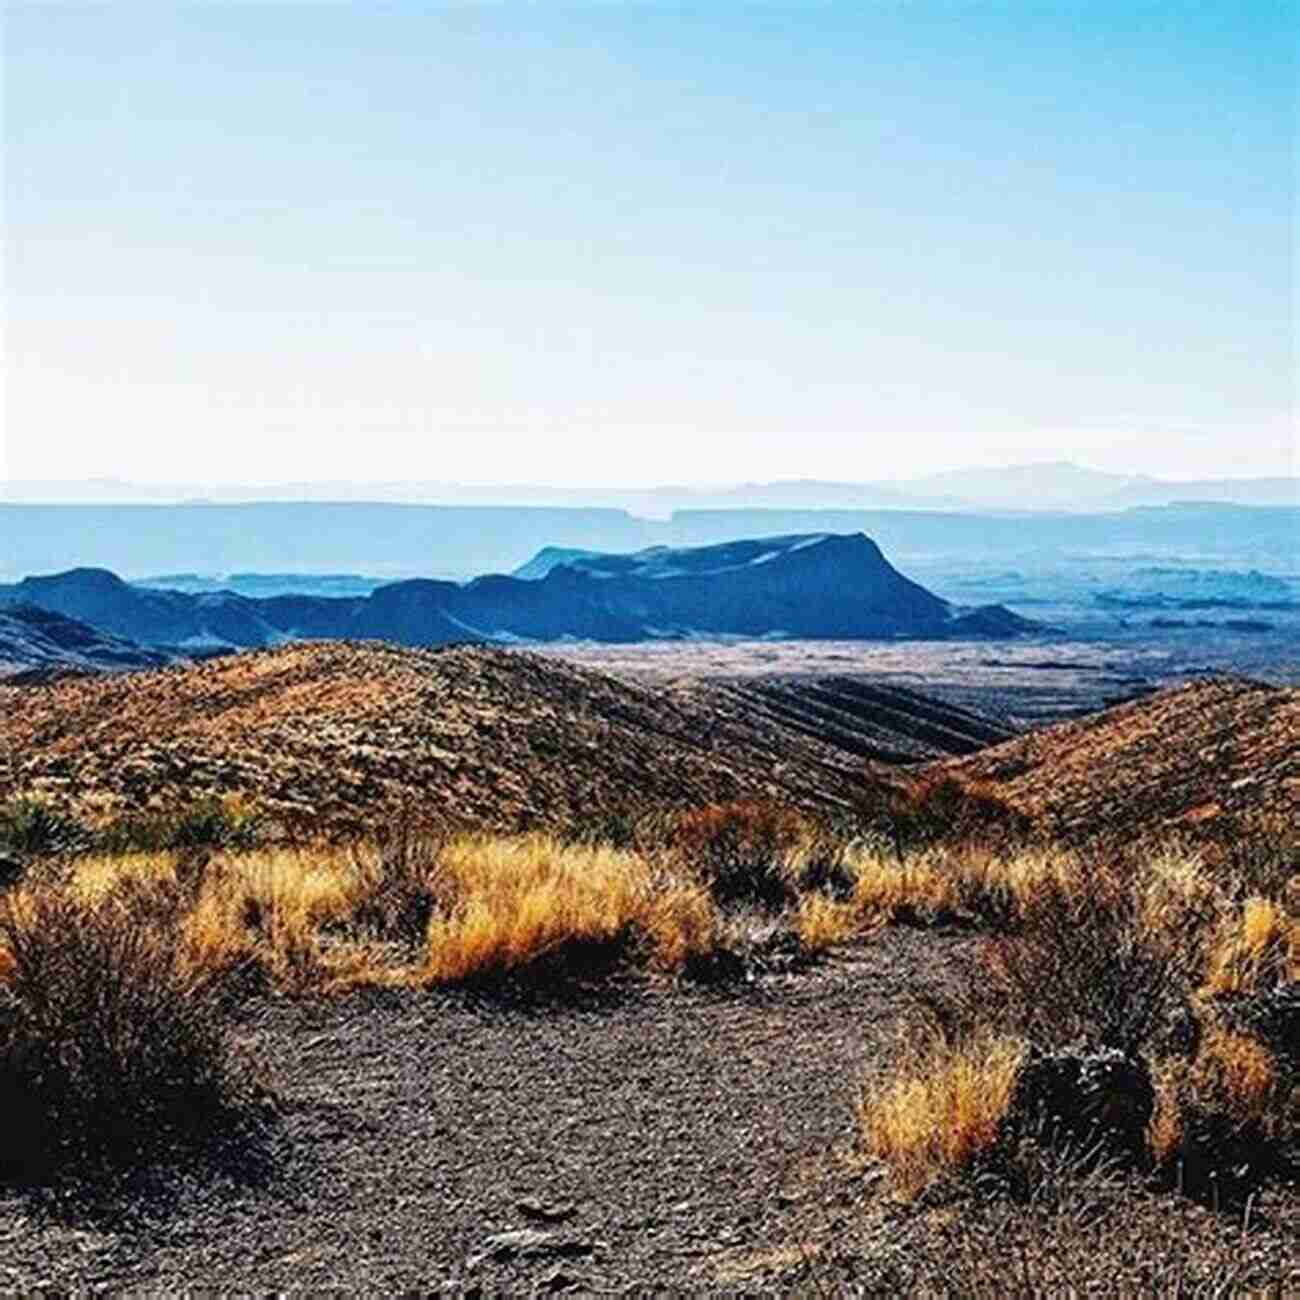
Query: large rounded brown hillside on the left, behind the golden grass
pixel 335 734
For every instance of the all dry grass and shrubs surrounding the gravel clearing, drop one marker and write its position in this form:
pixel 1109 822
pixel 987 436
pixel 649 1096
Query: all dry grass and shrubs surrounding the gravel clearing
pixel 1155 955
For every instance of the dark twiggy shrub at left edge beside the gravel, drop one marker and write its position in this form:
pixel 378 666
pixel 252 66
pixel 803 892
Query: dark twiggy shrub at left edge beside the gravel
pixel 109 1052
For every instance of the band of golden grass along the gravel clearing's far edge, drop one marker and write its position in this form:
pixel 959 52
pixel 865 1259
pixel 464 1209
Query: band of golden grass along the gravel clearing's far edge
pixel 309 917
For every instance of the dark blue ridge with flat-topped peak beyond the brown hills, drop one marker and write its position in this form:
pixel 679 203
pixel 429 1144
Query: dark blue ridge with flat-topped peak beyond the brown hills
pixel 808 586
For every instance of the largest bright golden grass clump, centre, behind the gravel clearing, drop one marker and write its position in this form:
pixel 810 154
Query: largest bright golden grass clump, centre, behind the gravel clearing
pixel 522 899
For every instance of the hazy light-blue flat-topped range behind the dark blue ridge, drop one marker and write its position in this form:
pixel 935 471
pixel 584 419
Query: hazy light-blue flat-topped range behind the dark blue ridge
pixel 393 541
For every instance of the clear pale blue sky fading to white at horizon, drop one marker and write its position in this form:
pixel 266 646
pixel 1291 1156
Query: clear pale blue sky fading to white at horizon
pixel 643 244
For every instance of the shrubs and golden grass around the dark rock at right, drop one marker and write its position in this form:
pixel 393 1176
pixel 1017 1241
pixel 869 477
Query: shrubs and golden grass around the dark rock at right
pixel 1162 967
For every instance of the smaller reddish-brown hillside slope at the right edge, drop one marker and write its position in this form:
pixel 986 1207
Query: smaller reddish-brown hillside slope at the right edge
pixel 1181 757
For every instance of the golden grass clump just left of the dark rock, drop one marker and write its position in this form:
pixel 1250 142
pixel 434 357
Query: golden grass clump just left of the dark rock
pixel 941 1110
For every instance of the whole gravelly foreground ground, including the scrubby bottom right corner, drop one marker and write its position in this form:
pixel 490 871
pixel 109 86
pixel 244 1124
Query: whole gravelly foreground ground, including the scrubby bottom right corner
pixel 671 1139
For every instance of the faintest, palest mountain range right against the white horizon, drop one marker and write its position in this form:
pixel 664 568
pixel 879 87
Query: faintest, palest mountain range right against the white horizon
pixel 1042 487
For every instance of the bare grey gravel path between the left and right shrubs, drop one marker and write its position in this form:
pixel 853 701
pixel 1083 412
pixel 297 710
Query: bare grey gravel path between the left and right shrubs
pixel 677 1139
